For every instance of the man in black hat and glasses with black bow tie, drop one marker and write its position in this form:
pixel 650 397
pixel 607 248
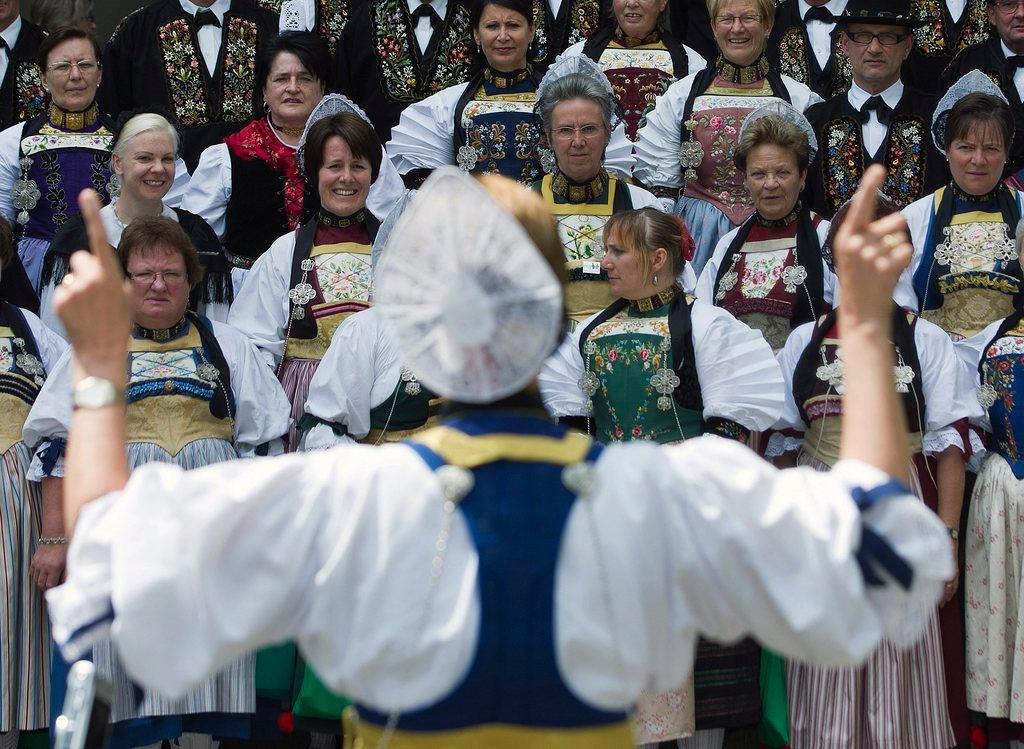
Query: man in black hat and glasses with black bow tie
pixel 879 120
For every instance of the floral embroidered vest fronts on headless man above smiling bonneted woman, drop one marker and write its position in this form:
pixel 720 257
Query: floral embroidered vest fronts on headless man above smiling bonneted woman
pixel 399 69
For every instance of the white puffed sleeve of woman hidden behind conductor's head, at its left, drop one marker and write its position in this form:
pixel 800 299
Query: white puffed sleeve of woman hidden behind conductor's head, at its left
pixel 360 370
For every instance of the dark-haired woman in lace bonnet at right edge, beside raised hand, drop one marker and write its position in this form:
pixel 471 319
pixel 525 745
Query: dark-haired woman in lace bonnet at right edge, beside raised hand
pixel 965 273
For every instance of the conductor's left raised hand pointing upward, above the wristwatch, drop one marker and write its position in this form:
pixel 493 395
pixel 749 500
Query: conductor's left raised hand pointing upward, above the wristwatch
pixel 93 302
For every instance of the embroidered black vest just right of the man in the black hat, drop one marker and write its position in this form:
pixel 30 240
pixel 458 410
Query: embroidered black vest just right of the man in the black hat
pixel 943 29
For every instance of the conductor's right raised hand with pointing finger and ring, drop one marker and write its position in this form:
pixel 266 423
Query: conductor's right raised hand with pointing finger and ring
pixel 870 255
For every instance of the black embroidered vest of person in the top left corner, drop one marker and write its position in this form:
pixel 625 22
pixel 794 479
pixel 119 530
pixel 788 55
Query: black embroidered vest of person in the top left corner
pixel 22 93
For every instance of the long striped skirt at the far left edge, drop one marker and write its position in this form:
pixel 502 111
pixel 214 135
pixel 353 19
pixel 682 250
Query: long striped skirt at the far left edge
pixel 25 631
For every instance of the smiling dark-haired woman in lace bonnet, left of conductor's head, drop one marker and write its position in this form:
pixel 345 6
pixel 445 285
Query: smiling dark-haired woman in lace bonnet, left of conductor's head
pixel 302 289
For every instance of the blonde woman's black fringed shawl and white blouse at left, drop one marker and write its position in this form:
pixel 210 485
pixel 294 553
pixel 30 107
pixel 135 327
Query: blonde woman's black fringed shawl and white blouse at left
pixel 211 298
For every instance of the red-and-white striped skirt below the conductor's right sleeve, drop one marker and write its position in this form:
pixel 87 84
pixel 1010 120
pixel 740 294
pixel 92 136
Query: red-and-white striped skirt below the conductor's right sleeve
pixel 897 700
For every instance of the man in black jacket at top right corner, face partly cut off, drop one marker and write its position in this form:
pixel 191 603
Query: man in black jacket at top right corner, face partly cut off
pixel 1002 58
